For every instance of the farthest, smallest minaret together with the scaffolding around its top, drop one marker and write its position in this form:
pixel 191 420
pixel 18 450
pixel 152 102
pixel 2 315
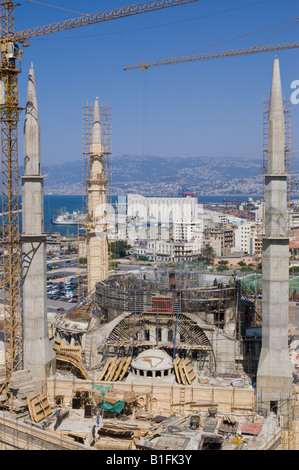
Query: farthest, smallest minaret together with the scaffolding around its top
pixel 96 170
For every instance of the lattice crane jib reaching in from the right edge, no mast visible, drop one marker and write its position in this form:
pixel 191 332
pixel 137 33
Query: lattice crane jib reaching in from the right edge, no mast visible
pixel 213 55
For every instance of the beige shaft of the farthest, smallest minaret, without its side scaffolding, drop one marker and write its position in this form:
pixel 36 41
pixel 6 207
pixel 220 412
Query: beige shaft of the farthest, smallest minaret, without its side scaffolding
pixel 97 246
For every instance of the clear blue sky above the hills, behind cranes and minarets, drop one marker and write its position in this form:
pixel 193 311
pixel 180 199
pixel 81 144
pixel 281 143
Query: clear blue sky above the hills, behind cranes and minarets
pixel 207 108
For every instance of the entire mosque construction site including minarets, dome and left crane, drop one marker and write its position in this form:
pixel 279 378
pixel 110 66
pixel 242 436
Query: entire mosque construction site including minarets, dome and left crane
pixel 159 359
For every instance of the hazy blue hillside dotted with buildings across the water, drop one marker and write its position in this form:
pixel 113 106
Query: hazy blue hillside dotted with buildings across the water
pixel 152 175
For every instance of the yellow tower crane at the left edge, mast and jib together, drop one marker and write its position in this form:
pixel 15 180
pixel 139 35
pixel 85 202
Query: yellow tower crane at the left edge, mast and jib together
pixel 11 55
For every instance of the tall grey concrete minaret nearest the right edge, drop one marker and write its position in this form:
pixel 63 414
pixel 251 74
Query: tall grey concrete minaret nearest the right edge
pixel 274 375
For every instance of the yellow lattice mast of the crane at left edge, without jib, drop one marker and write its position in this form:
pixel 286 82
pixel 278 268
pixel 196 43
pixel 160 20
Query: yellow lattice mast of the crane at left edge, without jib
pixel 9 117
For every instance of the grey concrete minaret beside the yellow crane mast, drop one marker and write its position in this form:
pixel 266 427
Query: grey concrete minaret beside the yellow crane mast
pixel 39 357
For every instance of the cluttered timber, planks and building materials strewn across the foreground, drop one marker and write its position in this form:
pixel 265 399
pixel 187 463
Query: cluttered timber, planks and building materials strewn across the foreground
pixel 100 416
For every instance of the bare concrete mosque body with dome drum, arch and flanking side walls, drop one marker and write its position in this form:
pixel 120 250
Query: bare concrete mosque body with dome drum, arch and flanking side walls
pixel 135 314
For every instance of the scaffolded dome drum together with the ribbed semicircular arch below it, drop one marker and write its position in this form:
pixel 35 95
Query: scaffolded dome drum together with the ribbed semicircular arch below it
pixel 155 313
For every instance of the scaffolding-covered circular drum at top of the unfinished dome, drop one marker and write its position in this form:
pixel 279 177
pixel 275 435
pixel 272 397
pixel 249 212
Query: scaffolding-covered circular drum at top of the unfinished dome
pixel 158 293
